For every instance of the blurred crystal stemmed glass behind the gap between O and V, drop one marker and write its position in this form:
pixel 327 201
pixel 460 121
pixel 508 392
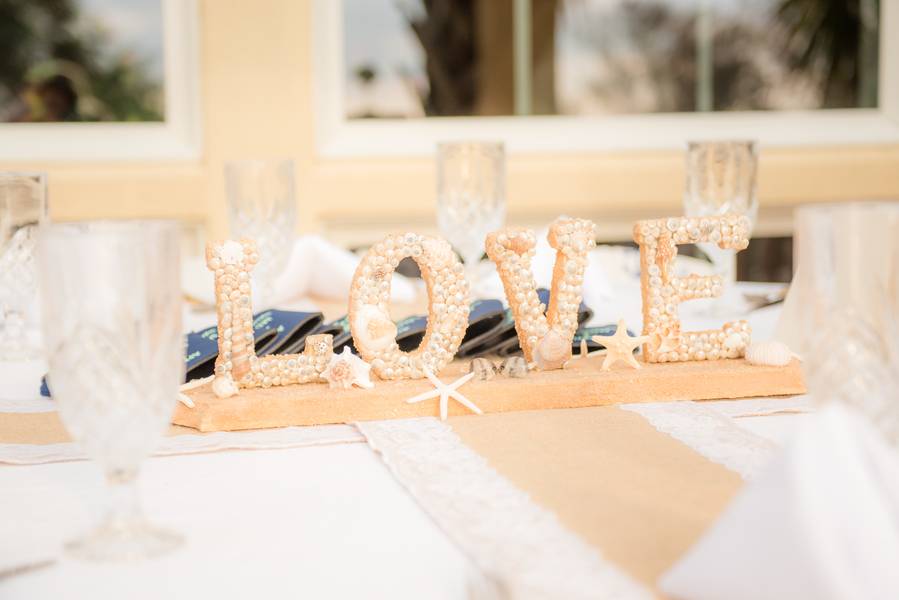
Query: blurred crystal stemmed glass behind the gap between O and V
pixel 471 197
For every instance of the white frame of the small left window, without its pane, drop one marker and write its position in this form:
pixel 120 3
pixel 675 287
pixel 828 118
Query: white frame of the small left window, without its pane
pixel 178 137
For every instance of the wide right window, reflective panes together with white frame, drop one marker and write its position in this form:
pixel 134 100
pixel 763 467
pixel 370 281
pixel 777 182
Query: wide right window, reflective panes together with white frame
pixel 394 77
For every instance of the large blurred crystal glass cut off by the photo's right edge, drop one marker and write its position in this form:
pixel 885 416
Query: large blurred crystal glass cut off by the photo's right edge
pixel 842 312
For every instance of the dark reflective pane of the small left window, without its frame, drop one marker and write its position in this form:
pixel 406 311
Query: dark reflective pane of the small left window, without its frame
pixel 81 60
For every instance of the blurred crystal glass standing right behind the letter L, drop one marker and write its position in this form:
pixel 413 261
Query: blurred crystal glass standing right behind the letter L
pixel 262 206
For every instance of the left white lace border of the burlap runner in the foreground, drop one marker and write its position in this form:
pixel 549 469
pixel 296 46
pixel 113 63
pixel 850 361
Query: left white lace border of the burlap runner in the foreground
pixel 521 548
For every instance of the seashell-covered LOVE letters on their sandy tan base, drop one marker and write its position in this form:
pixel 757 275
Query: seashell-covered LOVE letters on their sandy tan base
pixel 318 387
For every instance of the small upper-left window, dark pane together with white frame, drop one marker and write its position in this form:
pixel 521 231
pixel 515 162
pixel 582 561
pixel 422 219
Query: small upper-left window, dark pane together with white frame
pixel 99 80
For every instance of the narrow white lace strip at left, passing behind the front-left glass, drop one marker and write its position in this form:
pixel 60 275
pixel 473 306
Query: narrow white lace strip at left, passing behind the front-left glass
pixel 262 439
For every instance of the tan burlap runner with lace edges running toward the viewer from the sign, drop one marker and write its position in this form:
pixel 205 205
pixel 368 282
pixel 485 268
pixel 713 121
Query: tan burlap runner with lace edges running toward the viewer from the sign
pixel 589 503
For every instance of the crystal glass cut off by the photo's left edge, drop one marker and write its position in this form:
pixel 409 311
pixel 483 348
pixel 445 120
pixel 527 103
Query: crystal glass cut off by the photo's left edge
pixel 23 206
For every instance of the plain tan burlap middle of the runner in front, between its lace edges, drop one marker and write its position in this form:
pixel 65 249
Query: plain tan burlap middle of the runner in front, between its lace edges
pixel 639 496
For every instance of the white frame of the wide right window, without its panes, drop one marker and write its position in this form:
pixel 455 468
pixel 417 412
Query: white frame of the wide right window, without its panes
pixel 340 137
